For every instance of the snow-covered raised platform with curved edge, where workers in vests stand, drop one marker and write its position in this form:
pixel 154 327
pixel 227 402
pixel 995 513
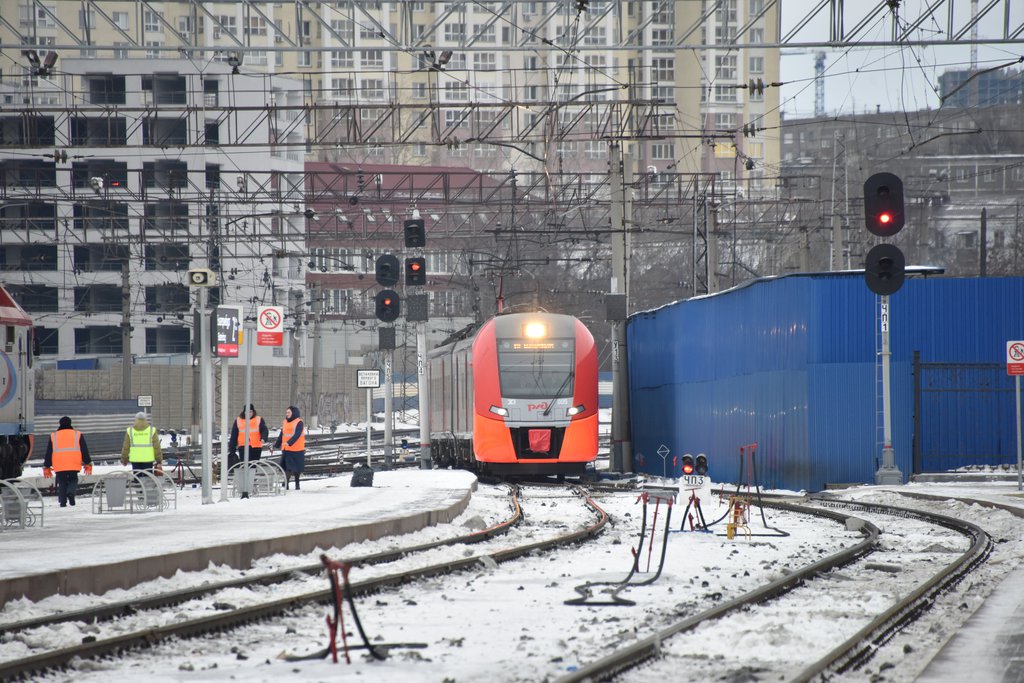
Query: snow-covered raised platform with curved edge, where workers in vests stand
pixel 78 551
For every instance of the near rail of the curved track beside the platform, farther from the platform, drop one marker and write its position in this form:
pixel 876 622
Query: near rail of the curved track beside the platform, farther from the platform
pixel 237 618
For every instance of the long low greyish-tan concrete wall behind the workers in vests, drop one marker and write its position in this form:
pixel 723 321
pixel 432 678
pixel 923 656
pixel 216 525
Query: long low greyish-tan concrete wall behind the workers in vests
pixel 173 390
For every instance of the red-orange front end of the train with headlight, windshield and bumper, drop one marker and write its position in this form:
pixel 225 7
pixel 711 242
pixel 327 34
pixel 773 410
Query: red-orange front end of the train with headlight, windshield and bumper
pixel 536 399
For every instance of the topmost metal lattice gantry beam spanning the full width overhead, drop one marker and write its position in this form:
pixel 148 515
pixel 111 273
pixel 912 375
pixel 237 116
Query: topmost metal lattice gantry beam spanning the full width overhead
pixel 823 24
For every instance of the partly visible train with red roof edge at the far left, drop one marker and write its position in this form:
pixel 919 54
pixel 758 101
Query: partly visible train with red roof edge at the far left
pixel 18 390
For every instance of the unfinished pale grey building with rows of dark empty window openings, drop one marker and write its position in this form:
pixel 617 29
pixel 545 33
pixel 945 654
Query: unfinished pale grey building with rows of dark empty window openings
pixel 115 185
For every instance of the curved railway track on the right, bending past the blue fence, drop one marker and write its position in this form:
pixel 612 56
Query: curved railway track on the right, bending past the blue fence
pixel 667 653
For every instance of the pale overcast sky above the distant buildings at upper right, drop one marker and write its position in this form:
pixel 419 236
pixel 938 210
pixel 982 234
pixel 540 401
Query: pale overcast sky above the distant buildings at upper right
pixel 906 78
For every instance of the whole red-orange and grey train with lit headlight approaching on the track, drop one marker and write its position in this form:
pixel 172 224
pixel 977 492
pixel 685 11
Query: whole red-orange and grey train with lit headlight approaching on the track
pixel 516 396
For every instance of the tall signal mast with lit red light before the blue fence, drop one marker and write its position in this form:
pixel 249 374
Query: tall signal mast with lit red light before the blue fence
pixel 884 273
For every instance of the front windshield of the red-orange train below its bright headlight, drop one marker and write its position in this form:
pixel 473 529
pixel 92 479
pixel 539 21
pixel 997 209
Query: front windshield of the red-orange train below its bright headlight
pixel 531 373
